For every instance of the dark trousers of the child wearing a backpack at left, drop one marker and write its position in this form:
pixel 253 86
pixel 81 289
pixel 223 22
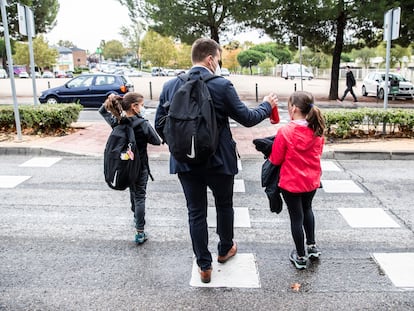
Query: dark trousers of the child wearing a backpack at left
pixel 138 193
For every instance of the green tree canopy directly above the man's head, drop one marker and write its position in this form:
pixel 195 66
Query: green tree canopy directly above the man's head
pixel 190 20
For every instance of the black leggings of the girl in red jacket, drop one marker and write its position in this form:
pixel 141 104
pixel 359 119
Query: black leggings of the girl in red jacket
pixel 301 218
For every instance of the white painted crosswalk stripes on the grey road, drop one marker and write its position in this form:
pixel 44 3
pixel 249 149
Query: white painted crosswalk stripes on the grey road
pixel 244 270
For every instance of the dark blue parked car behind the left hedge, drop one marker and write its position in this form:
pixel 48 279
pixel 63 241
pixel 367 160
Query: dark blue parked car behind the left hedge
pixel 90 90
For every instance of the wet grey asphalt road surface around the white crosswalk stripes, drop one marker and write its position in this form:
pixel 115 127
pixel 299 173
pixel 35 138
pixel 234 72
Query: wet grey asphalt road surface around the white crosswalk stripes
pixel 66 243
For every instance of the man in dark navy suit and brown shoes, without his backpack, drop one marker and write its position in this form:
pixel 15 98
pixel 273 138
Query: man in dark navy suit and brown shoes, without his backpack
pixel 219 171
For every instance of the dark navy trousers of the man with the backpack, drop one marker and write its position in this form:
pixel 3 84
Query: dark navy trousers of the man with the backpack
pixel 195 191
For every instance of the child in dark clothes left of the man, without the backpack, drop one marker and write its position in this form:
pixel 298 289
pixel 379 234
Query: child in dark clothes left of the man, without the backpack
pixel 117 110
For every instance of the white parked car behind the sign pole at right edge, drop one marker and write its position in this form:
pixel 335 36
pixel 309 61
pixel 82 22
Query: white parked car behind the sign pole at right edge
pixel 375 82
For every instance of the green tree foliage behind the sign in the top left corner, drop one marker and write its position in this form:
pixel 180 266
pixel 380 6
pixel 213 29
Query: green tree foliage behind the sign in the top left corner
pixel 44 12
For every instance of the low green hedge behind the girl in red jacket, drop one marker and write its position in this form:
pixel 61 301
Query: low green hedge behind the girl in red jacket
pixel 369 122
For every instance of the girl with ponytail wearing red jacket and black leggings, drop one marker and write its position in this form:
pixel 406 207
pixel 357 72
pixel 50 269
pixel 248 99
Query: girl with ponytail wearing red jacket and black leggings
pixel 298 148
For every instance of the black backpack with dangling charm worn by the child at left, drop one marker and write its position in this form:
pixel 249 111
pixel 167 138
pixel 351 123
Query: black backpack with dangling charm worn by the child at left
pixel 121 157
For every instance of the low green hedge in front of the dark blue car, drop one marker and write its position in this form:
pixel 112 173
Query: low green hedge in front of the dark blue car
pixel 40 119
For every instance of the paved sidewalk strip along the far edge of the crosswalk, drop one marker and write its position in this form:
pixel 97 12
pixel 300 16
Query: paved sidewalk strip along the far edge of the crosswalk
pixel 90 140
